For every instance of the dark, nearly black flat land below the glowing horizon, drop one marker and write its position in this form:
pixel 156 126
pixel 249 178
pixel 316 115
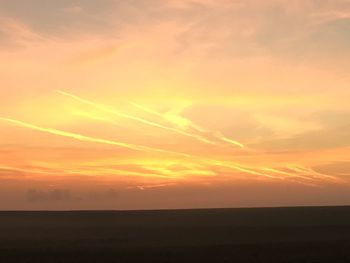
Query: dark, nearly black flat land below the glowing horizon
pixel 218 235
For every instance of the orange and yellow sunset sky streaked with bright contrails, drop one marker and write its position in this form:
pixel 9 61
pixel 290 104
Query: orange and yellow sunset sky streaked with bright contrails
pixel 164 104
